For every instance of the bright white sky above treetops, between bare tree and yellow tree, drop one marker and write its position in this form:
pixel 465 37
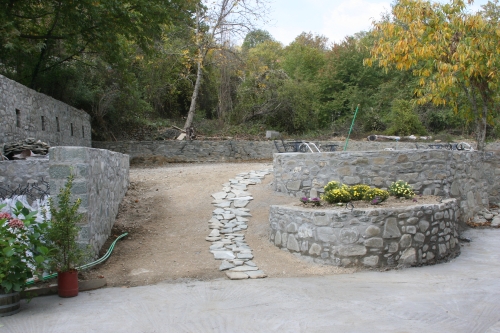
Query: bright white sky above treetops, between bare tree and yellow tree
pixel 334 19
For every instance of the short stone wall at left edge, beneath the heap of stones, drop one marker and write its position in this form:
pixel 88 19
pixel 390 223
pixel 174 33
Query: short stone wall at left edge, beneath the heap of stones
pixel 23 172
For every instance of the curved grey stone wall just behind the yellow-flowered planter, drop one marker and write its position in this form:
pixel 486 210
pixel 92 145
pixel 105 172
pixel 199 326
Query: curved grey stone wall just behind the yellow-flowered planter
pixel 455 174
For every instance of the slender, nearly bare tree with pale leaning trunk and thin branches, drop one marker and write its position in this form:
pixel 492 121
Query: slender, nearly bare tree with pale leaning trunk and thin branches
pixel 216 21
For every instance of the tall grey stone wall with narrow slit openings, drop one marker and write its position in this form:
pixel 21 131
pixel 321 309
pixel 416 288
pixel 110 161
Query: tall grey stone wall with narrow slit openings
pixel 26 113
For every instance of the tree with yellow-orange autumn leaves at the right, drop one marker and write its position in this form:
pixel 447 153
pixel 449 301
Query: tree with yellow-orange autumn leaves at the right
pixel 454 52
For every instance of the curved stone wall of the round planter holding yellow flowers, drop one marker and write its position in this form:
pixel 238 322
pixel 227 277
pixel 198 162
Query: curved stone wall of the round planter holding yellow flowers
pixel 369 237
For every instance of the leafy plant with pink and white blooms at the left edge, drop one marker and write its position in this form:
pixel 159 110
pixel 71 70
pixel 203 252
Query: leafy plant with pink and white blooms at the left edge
pixel 22 247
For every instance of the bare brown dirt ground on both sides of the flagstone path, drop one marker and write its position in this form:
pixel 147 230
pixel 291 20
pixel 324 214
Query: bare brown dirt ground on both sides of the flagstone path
pixel 166 212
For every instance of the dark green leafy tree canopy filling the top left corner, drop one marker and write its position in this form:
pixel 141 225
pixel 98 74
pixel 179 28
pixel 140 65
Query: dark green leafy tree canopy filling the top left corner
pixel 38 36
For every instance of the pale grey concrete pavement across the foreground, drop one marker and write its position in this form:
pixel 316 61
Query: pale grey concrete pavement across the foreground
pixel 460 296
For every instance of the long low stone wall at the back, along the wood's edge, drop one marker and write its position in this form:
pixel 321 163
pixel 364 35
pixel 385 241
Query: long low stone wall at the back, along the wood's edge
pixel 222 151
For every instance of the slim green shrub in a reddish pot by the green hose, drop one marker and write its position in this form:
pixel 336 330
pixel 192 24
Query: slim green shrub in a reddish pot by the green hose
pixel 66 254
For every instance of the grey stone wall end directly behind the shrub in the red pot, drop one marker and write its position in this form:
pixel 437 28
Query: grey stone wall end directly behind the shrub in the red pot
pixel 101 181
